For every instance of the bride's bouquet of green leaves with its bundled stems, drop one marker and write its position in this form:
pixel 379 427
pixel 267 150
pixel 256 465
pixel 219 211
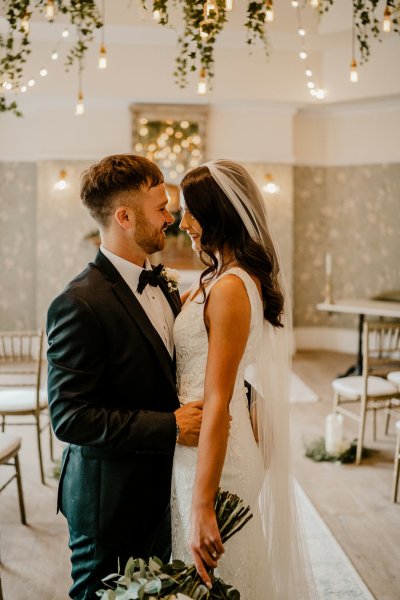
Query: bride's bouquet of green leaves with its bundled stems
pixel 176 580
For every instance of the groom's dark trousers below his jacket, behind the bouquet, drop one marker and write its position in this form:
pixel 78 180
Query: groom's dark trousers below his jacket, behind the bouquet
pixel 92 559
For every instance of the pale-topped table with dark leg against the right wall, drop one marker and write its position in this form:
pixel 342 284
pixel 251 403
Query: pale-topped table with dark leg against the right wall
pixel 362 308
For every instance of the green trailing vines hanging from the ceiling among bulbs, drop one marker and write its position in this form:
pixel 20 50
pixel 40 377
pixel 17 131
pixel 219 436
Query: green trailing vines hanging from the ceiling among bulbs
pixel 203 22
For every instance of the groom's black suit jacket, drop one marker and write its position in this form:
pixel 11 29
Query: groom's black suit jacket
pixel 111 388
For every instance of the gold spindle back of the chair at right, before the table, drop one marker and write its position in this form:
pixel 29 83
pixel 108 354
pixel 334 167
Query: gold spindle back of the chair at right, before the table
pixel 381 348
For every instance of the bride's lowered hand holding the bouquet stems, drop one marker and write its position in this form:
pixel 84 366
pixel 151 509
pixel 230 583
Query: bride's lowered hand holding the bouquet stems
pixel 205 541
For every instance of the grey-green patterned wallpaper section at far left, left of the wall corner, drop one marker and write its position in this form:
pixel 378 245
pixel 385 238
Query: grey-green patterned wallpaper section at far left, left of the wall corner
pixel 17 245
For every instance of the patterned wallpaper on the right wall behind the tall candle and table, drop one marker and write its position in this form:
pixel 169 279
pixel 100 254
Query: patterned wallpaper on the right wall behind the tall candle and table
pixel 354 214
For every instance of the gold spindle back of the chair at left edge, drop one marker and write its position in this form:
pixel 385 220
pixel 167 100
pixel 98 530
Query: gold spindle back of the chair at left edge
pixel 21 359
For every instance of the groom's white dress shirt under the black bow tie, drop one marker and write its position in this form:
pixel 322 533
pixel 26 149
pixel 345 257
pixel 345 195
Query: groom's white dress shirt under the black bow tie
pixel 152 298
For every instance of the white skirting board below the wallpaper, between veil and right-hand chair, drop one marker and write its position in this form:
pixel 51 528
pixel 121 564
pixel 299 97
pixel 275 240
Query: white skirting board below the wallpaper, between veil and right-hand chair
pixel 326 338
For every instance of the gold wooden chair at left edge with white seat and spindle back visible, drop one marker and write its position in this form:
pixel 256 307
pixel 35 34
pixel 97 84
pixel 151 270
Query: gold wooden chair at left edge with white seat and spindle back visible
pixel 20 379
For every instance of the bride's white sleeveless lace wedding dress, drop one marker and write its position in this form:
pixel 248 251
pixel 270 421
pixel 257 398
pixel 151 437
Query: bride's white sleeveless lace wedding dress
pixel 244 564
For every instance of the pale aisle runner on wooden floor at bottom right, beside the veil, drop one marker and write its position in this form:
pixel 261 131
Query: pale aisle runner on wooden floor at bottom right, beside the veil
pixel 335 576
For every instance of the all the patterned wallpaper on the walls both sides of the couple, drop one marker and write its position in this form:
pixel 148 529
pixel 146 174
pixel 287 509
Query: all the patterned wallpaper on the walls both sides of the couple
pixel 351 212
